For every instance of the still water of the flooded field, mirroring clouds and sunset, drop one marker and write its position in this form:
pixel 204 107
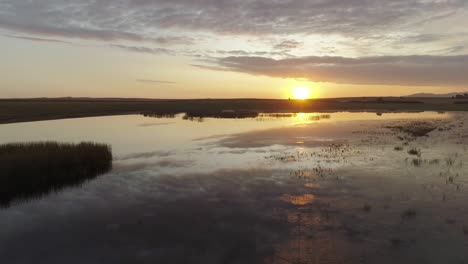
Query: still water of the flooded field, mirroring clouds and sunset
pixel 274 188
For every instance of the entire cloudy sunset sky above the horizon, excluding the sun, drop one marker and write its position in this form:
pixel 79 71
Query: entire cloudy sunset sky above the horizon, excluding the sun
pixel 232 48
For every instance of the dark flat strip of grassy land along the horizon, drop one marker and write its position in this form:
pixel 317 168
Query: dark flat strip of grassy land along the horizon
pixel 23 110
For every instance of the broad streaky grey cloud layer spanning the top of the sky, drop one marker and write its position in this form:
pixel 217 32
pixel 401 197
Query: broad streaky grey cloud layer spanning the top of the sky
pixel 297 27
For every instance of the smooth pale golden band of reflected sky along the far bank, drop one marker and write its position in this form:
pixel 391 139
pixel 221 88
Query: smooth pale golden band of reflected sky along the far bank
pixel 137 134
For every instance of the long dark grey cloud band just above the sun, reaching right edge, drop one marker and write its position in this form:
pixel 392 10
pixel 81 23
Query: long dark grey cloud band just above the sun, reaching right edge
pixel 380 70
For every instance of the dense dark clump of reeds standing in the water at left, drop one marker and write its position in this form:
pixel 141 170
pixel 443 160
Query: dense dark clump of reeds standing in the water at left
pixel 29 170
